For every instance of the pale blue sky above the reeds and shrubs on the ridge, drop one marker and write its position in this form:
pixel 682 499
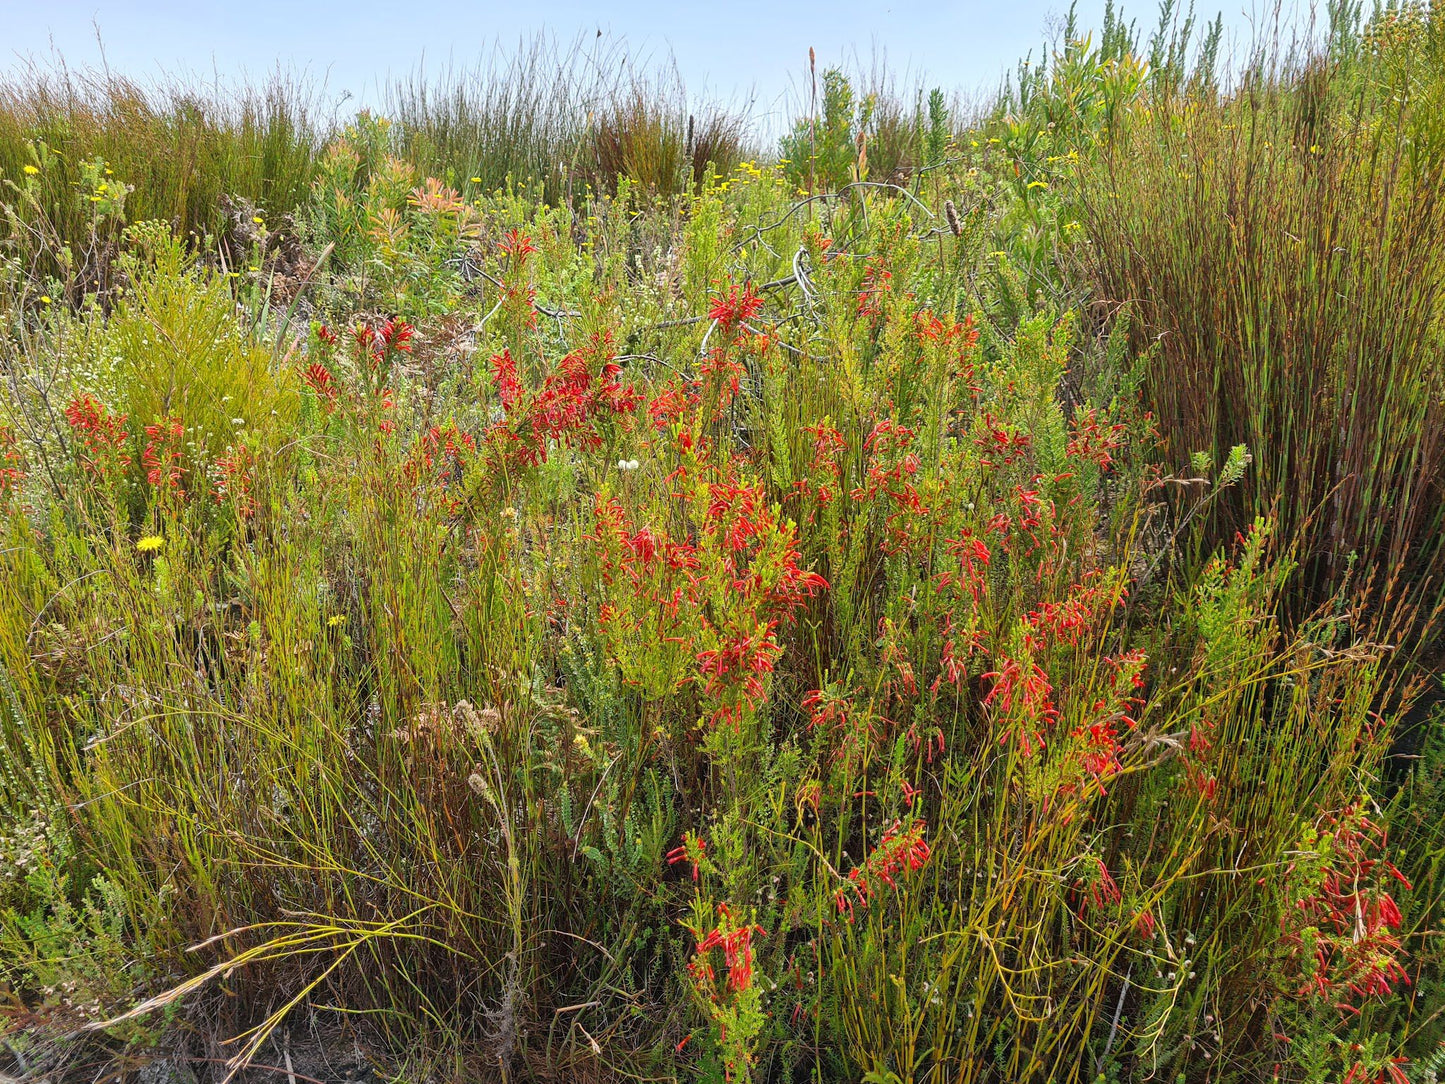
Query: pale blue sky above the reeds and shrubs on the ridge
pixel 739 51
